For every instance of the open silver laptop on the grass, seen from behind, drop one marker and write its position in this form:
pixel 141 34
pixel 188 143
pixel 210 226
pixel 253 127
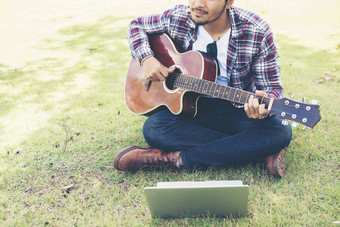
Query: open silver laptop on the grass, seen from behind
pixel 198 198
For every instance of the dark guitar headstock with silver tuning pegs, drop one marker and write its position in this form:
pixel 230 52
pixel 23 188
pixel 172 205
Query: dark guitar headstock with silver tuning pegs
pixel 307 114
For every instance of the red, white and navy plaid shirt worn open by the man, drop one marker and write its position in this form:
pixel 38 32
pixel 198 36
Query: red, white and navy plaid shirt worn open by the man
pixel 252 62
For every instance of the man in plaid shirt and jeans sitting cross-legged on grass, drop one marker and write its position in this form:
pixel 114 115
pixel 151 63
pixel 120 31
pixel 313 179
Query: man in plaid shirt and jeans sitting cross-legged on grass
pixel 222 133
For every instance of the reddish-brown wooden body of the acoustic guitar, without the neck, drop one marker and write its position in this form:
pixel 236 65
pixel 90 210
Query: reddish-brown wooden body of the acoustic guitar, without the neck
pixel 158 95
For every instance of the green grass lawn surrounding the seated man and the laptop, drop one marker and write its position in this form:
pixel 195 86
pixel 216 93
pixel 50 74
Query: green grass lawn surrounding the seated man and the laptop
pixel 63 120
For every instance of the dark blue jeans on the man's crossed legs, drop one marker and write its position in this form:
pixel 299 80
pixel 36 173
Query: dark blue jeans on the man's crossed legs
pixel 219 135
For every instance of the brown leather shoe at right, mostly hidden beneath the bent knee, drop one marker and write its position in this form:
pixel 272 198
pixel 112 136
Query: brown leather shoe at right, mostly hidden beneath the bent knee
pixel 276 164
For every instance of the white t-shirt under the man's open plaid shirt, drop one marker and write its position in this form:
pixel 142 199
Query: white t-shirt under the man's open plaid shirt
pixel 203 39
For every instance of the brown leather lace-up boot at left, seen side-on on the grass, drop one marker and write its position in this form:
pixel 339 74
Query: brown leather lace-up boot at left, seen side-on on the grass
pixel 133 158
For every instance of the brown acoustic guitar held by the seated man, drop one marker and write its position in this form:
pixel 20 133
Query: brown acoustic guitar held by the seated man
pixel 195 75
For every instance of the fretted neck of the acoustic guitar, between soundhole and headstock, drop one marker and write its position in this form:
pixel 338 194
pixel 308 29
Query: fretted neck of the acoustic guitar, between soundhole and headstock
pixel 214 89
